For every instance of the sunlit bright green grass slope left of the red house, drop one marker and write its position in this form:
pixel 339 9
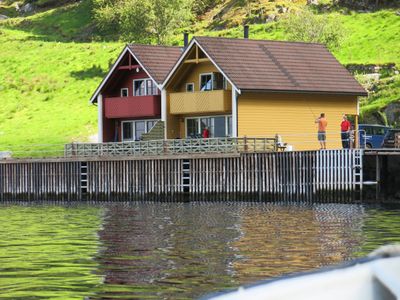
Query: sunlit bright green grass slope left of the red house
pixel 45 87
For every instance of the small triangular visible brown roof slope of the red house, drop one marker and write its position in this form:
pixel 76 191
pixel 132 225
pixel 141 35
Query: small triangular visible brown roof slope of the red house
pixel 157 60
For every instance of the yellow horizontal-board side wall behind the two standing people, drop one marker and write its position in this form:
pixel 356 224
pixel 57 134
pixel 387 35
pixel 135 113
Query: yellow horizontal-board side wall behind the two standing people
pixel 293 117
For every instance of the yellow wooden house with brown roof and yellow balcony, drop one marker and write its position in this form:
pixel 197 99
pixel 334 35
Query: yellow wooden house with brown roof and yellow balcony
pixel 258 88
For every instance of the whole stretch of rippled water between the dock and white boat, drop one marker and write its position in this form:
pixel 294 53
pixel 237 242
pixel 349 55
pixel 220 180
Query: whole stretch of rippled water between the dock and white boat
pixel 175 250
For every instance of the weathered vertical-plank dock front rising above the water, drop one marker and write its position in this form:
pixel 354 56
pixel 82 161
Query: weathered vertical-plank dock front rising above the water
pixel 331 175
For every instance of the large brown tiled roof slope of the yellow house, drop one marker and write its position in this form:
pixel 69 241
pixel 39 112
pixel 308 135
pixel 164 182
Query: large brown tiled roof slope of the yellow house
pixel 280 66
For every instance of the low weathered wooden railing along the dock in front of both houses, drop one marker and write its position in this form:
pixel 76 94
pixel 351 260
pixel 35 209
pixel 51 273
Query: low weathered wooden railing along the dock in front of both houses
pixel 172 147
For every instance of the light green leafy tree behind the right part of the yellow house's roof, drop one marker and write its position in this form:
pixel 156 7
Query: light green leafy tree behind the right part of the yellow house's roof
pixel 305 26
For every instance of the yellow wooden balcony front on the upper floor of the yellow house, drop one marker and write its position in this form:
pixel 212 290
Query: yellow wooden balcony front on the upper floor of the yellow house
pixel 218 101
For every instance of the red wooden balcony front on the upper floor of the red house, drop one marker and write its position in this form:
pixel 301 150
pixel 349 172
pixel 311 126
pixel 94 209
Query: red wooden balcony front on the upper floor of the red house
pixel 132 107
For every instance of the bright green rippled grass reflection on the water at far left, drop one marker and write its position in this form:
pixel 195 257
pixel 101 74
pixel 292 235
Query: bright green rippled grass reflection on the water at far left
pixel 47 252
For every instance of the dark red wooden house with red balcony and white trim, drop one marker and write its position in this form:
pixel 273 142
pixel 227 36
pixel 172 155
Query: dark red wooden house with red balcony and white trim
pixel 129 97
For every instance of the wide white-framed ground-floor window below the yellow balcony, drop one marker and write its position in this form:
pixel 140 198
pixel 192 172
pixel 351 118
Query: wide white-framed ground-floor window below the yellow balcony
pixel 219 126
